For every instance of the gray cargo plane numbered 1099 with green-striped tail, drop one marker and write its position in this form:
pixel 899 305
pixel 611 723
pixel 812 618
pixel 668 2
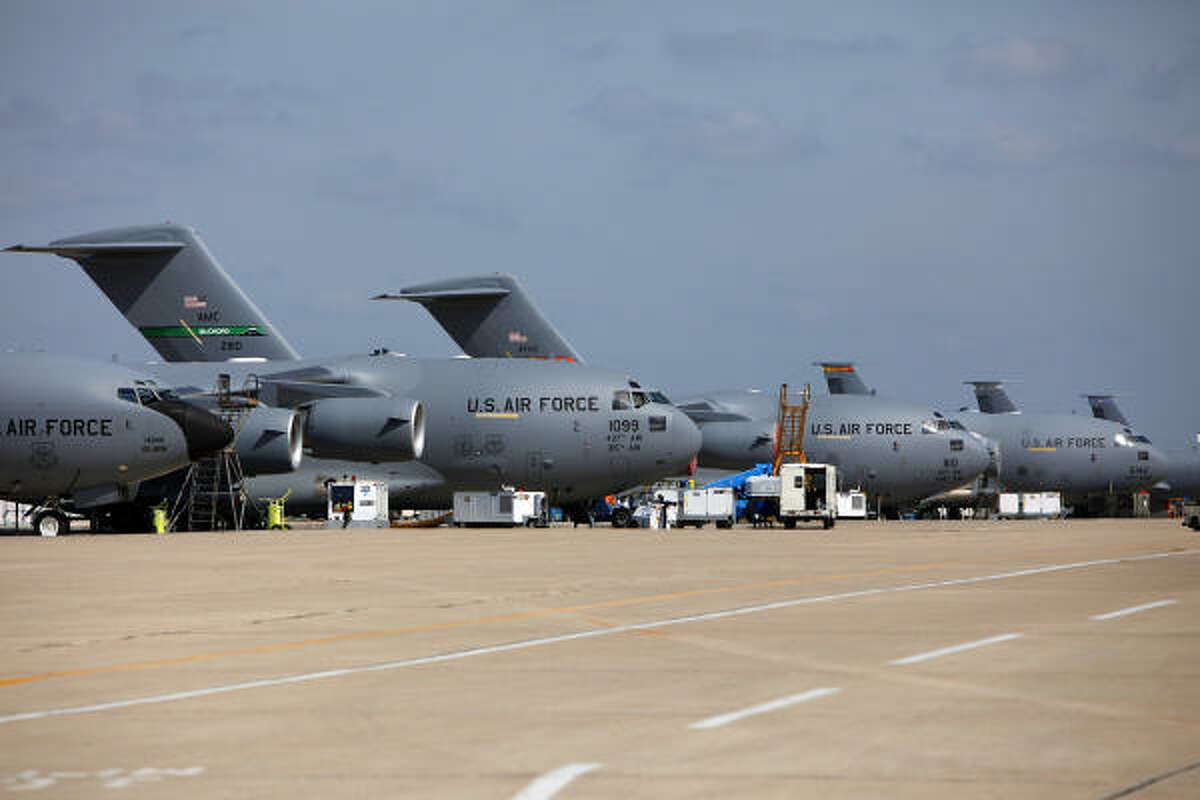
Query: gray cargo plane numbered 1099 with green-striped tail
pixel 574 431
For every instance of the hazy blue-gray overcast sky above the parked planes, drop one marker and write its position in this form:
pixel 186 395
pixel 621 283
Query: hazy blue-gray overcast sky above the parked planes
pixel 706 195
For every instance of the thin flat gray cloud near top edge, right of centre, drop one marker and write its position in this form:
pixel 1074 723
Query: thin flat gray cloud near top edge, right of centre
pixel 759 47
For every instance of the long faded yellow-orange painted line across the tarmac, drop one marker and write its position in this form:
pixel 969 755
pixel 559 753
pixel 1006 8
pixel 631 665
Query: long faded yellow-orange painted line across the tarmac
pixel 447 627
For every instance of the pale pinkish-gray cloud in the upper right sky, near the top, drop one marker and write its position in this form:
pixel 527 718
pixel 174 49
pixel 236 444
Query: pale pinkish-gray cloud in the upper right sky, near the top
pixel 1017 63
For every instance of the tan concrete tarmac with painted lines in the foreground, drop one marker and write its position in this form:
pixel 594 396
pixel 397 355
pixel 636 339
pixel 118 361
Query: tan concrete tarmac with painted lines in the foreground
pixel 902 660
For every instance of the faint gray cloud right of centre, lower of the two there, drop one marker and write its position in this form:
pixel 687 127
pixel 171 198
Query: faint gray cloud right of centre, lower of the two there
pixel 719 136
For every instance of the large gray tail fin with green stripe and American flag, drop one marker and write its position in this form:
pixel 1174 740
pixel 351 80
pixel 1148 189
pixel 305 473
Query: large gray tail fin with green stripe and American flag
pixel 167 285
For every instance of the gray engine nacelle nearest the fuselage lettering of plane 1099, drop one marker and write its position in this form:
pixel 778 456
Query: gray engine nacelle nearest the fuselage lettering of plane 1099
pixel 367 429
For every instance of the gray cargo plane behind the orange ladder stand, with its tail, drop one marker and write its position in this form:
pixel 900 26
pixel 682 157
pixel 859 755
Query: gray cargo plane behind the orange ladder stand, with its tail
pixel 893 452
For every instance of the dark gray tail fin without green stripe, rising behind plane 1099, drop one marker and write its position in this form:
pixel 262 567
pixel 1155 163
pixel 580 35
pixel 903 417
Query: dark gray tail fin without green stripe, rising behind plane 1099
pixel 490 317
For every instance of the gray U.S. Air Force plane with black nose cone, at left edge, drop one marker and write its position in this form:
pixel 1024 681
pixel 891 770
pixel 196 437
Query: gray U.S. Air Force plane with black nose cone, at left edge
pixel 80 435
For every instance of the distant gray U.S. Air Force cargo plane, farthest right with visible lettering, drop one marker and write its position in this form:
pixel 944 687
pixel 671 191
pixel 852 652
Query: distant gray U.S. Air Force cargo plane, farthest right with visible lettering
pixel 1065 453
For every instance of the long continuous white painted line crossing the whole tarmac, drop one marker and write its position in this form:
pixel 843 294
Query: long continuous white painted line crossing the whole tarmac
pixel 572 637
